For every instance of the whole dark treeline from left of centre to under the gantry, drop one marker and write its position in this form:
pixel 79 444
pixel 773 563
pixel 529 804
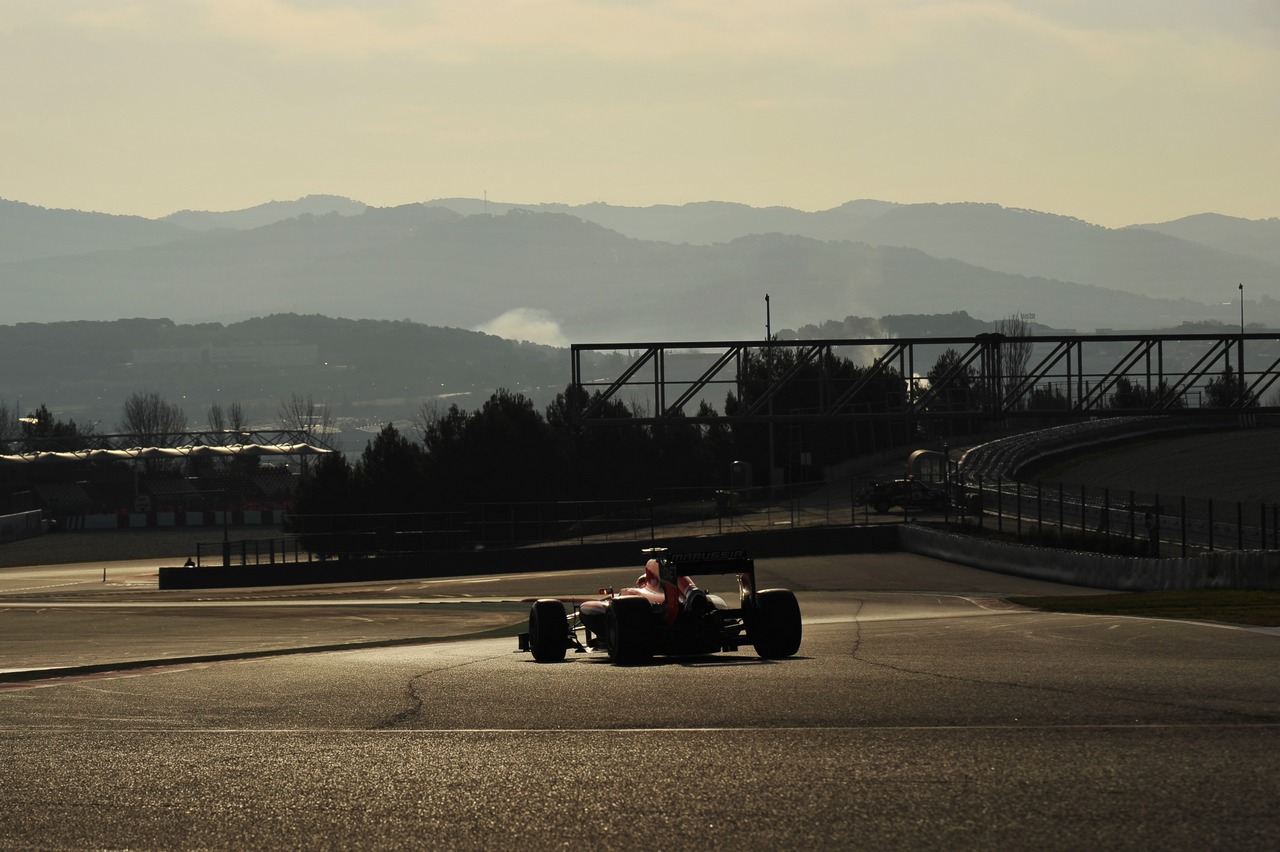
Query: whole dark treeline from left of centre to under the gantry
pixel 508 451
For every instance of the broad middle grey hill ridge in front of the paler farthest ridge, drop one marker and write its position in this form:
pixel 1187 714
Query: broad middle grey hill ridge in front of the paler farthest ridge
pixel 437 267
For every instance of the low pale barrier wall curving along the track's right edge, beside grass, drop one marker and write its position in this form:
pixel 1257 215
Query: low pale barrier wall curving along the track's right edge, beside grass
pixel 1217 570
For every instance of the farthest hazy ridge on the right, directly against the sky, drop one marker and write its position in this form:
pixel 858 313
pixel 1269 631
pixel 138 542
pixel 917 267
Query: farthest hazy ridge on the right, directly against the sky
pixel 1180 262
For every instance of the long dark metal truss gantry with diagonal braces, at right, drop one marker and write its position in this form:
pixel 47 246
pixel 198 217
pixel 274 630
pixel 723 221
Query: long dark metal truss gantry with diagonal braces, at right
pixel 1064 375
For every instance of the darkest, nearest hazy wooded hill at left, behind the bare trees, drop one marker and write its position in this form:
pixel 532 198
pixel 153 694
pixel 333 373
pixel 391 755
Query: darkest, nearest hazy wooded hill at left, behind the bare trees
pixel 377 370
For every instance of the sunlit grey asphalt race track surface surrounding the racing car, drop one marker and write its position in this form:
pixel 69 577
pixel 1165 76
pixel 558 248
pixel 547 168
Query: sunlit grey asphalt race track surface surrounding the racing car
pixel 924 712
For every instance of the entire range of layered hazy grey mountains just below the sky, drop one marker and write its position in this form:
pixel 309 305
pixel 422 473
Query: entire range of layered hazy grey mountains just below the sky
pixel 606 273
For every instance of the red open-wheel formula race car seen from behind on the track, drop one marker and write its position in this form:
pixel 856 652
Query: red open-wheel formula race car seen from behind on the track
pixel 668 613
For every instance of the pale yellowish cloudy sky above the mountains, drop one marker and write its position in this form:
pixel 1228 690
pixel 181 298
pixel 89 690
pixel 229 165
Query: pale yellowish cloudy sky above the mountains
pixel 1117 112
